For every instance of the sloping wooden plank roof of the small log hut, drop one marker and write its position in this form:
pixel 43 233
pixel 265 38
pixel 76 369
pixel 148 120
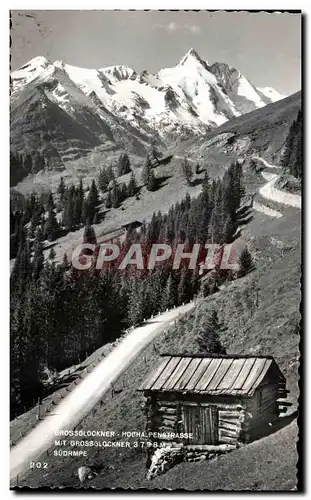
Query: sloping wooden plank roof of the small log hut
pixel 213 375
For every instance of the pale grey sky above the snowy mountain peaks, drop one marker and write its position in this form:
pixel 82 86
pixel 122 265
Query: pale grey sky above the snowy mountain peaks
pixel 266 48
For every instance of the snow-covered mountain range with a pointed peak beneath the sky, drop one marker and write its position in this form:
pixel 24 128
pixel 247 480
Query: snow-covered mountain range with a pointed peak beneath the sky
pixel 117 105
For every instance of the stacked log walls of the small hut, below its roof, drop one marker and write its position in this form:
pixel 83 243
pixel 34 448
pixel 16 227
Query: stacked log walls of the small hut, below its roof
pixel 213 421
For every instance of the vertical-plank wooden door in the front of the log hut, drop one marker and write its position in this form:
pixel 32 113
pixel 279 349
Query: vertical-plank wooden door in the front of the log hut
pixel 202 422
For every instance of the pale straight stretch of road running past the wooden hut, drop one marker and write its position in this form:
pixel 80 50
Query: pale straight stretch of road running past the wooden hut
pixel 84 397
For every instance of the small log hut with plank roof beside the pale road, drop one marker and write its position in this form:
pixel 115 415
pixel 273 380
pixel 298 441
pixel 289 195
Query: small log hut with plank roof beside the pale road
pixel 216 400
